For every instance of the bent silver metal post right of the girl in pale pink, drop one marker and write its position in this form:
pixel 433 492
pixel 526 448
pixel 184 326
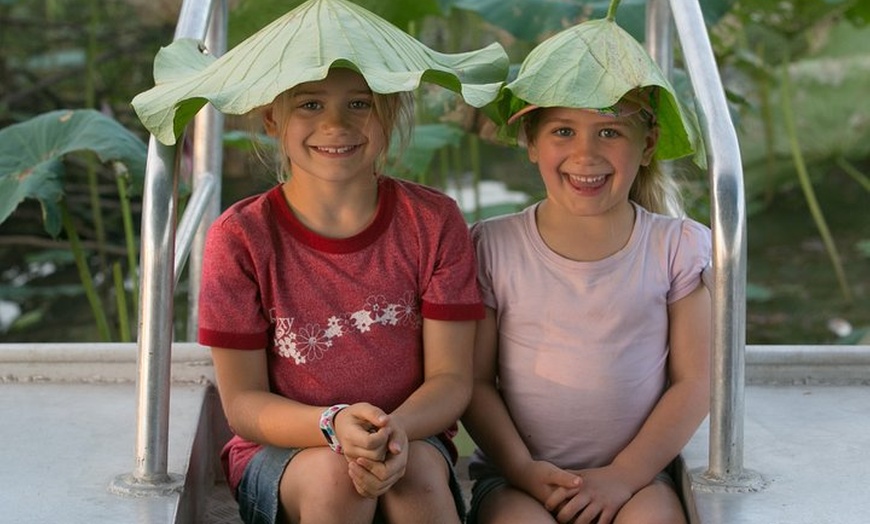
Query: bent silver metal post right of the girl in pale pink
pixel 728 222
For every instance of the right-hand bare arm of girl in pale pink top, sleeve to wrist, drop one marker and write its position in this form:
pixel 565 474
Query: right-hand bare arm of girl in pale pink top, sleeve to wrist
pixel 685 403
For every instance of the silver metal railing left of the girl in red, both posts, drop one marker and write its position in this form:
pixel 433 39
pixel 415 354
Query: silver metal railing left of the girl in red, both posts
pixel 163 256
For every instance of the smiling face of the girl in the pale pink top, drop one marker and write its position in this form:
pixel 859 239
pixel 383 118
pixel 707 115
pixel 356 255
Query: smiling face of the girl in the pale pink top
pixel 588 160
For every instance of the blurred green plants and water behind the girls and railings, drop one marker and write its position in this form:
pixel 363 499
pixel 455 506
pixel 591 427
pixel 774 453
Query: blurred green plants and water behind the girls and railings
pixel 795 72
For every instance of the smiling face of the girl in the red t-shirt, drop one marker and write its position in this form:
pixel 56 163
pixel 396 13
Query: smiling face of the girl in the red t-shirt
pixel 329 130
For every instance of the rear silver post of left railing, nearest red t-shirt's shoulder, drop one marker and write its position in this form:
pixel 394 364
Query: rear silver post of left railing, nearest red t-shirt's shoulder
pixel 207 158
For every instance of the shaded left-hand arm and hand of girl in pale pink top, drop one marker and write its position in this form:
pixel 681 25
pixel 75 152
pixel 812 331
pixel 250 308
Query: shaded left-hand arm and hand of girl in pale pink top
pixel 490 425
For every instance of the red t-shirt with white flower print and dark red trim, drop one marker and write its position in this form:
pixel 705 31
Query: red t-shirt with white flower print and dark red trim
pixel 341 319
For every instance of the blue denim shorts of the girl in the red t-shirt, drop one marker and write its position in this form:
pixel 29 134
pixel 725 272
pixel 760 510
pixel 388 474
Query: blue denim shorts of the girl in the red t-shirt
pixel 258 489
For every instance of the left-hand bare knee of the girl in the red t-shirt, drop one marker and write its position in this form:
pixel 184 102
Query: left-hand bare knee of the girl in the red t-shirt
pixel 316 489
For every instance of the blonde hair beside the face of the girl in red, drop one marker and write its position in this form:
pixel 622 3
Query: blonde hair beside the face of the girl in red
pixel 394 111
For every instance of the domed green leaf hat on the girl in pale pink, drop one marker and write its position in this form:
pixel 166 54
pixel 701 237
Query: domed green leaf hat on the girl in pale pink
pixel 592 65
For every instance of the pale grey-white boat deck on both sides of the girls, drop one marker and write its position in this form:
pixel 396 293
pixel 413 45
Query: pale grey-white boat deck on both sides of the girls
pixel 69 420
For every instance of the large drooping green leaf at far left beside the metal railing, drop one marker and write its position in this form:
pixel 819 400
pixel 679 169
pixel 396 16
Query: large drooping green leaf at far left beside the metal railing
pixel 31 156
